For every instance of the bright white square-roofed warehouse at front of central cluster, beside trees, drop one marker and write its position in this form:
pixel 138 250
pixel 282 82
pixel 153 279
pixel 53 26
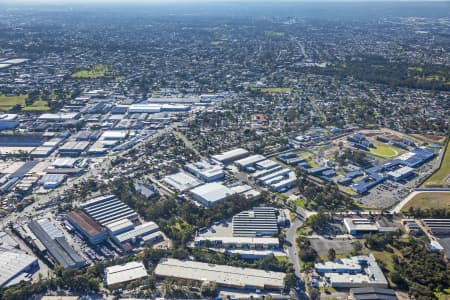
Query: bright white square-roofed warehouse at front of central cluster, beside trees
pixel 211 193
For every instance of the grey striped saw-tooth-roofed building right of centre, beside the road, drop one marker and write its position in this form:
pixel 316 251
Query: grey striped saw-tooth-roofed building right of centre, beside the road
pixel 260 221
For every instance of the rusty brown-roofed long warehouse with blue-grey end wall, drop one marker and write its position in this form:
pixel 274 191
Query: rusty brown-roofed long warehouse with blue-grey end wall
pixel 93 232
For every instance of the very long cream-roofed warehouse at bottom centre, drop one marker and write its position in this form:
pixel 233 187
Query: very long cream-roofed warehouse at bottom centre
pixel 223 275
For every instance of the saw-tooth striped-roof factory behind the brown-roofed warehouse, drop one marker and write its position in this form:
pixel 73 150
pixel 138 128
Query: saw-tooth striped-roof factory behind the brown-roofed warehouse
pixel 108 209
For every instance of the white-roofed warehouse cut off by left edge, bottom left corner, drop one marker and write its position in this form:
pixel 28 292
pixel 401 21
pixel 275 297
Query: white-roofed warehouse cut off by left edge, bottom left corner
pixel 13 264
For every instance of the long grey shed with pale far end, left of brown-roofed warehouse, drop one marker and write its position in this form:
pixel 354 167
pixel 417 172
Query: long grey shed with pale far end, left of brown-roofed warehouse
pixel 53 243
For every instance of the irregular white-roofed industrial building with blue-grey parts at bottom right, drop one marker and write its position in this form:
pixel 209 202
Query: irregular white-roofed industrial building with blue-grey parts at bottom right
pixel 356 271
